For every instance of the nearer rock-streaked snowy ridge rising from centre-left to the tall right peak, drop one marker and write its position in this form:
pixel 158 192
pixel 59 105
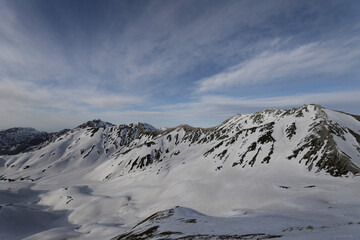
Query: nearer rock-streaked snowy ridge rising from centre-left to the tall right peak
pixel 305 135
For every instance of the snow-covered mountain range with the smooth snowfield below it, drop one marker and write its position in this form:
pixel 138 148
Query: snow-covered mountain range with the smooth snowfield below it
pixel 101 180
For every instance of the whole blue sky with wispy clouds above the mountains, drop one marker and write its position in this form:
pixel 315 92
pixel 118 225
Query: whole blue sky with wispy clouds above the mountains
pixel 171 62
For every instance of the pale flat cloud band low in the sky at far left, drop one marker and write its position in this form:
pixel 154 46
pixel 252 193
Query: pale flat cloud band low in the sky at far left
pixel 19 95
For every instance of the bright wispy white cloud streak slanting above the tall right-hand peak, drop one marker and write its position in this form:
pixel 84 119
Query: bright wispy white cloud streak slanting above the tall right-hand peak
pixel 302 61
